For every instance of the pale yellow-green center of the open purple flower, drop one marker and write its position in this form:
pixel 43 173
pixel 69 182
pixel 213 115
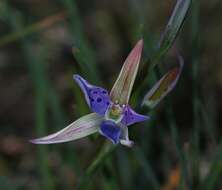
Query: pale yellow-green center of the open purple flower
pixel 114 112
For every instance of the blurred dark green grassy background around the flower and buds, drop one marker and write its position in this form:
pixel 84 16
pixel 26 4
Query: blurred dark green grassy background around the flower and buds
pixel 43 43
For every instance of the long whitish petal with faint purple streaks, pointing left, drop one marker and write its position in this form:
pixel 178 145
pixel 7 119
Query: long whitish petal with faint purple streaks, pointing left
pixel 82 127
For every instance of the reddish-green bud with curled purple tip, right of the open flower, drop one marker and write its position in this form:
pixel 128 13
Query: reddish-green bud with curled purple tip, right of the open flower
pixel 163 86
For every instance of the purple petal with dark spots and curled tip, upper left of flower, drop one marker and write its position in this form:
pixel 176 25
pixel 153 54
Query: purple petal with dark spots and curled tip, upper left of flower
pixel 97 98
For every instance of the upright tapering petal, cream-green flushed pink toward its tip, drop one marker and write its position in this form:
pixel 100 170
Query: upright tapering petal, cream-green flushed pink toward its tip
pixel 123 86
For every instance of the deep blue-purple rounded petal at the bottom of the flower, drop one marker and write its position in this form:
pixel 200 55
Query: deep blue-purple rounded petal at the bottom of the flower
pixel 110 130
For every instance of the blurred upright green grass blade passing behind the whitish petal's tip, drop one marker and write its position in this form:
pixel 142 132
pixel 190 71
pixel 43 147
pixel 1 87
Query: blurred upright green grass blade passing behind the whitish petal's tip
pixel 37 73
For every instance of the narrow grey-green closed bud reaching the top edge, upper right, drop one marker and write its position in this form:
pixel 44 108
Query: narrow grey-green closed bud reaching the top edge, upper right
pixel 173 26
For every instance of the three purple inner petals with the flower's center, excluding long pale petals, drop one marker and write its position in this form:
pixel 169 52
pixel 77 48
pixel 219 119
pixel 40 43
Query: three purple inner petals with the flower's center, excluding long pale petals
pixel 117 117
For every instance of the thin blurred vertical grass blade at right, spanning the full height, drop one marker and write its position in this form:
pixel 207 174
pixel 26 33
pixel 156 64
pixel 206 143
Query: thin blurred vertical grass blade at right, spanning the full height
pixel 197 127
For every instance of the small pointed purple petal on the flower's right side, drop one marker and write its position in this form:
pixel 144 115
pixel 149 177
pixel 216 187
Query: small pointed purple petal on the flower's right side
pixel 130 117
